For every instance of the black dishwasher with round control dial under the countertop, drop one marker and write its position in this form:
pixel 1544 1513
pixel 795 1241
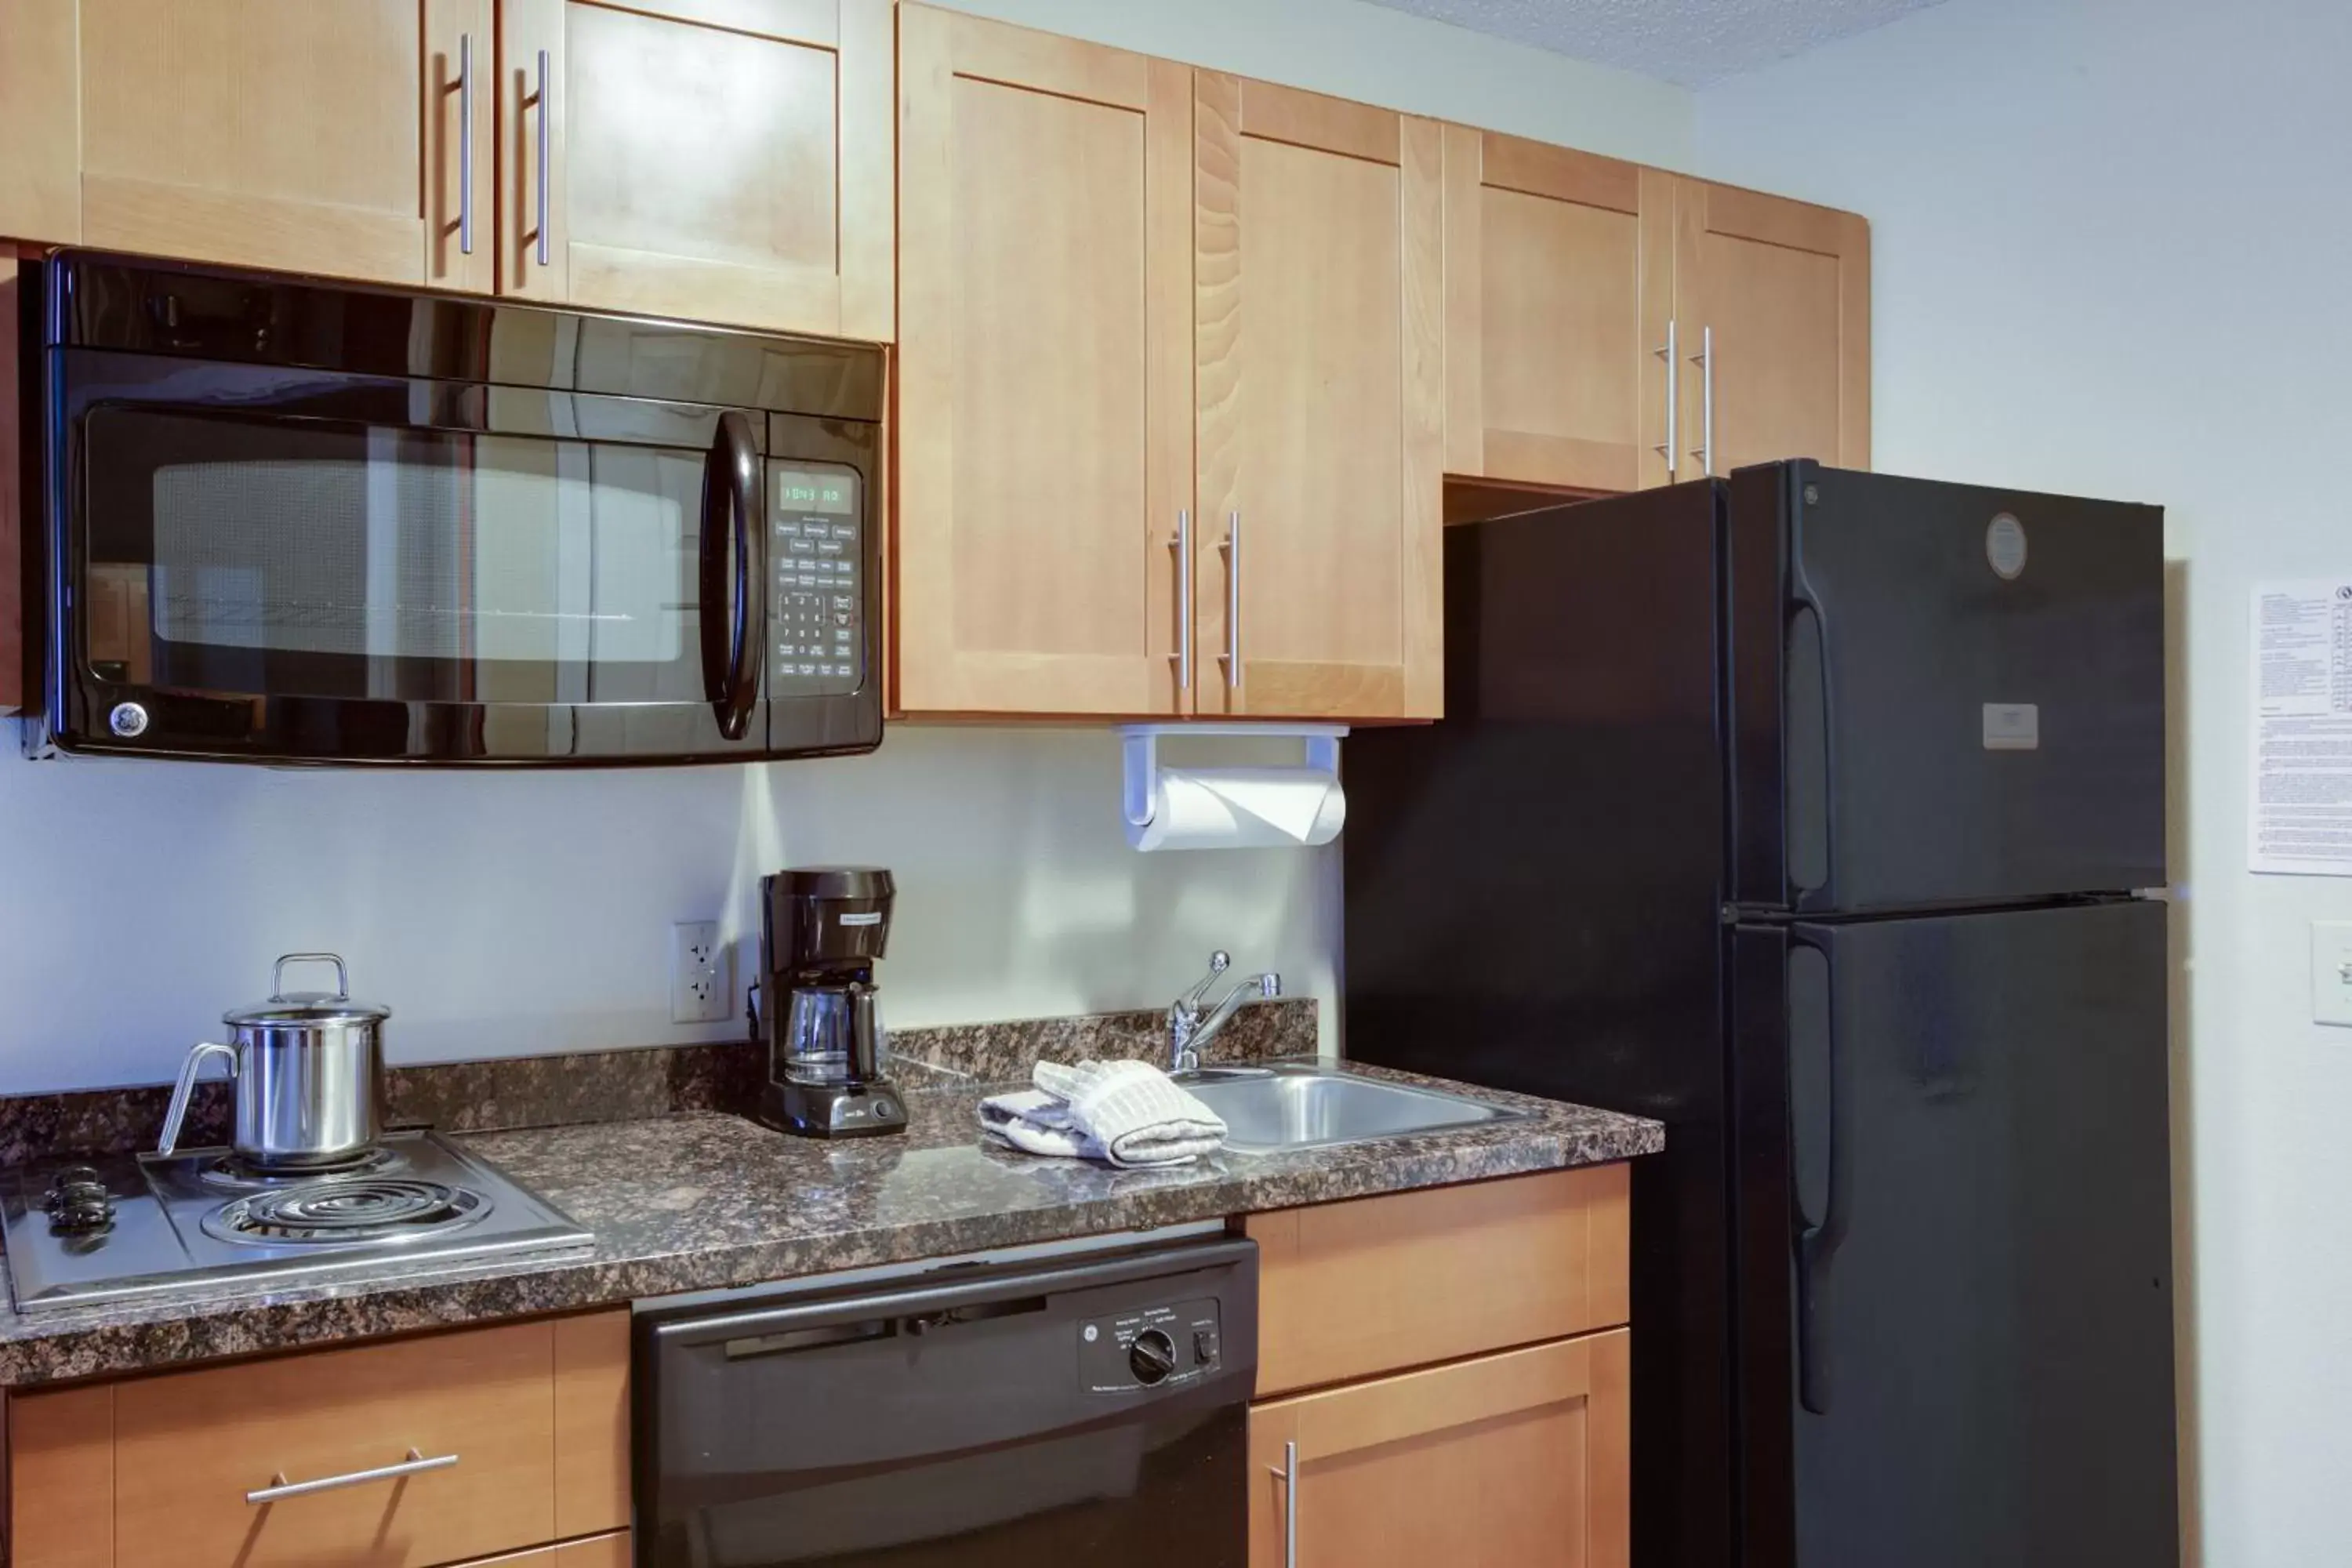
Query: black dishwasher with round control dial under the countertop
pixel 1085 1409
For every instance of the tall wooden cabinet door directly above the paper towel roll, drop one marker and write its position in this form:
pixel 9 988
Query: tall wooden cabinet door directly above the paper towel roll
pixel 1321 384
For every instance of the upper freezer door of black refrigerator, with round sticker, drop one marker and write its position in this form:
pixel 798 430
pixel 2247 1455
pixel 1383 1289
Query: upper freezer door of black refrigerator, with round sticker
pixel 1965 690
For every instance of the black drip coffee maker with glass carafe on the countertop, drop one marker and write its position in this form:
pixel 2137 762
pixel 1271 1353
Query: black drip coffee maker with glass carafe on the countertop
pixel 822 927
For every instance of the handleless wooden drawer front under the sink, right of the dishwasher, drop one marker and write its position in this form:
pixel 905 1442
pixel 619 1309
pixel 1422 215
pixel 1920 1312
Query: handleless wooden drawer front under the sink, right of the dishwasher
pixel 1379 1285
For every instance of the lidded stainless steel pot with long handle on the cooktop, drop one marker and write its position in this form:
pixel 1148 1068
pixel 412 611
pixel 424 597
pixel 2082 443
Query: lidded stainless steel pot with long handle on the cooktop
pixel 309 1071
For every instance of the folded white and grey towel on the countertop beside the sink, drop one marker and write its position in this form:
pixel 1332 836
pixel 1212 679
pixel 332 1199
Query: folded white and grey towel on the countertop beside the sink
pixel 1121 1113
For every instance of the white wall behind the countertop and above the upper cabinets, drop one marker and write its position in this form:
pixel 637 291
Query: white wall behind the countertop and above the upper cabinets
pixel 514 913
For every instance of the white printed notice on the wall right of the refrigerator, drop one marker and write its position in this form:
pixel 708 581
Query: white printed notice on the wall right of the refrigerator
pixel 2301 798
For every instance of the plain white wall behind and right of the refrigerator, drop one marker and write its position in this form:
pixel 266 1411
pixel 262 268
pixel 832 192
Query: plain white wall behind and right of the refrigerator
pixel 2111 246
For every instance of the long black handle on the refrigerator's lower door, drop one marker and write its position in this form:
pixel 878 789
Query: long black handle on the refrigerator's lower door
pixel 1819 1179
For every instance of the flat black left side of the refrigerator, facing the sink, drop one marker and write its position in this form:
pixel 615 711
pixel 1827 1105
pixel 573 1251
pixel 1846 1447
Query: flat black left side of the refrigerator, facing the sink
pixel 1535 902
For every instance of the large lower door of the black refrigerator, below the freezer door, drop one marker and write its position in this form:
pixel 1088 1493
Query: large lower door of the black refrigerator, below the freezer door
pixel 1958 1341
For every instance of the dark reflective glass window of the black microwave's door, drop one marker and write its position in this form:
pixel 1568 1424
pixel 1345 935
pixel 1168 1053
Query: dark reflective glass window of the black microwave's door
pixel 392 563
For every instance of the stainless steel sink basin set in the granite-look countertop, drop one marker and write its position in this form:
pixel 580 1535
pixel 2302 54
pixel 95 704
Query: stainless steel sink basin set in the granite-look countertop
pixel 1311 1106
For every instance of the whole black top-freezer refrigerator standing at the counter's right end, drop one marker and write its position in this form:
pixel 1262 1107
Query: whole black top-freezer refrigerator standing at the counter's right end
pixel 1815 815
